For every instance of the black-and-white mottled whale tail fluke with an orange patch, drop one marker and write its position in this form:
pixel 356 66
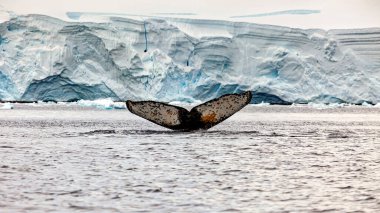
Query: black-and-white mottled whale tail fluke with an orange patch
pixel 201 117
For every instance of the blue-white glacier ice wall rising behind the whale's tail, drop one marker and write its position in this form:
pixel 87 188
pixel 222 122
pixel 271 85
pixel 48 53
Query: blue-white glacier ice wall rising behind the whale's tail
pixel 43 58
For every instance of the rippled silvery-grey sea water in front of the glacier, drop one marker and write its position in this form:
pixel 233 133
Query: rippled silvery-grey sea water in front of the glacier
pixel 58 158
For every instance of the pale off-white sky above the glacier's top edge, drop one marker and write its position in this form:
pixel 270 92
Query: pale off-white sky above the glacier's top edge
pixel 325 14
